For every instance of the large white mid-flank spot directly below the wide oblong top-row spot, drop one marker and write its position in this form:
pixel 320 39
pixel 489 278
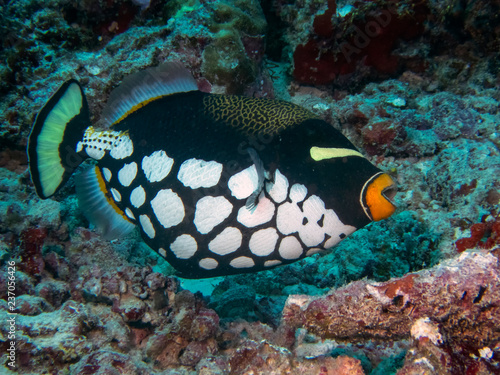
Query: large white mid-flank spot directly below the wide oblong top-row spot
pixel 211 211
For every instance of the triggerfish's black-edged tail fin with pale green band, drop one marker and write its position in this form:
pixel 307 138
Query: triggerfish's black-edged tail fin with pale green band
pixel 58 128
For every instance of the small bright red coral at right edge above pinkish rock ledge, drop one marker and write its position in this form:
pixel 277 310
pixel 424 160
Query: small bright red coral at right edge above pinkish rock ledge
pixel 484 235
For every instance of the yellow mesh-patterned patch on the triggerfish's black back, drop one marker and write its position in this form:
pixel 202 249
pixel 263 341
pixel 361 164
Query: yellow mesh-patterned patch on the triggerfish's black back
pixel 255 115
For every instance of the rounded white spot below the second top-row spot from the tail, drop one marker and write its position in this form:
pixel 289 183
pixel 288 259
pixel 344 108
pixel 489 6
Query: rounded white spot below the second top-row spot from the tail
pixel 168 208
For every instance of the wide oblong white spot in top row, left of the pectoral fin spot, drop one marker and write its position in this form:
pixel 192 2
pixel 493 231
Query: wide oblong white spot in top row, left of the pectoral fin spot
pixel 195 173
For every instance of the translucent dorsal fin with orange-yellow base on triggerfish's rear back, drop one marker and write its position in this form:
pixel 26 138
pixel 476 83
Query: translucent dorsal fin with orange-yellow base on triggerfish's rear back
pixel 140 88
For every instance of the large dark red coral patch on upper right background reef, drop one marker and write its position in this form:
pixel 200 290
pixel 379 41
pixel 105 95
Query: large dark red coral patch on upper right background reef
pixel 370 41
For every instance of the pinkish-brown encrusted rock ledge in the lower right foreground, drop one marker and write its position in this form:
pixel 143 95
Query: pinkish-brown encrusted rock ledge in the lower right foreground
pixel 451 311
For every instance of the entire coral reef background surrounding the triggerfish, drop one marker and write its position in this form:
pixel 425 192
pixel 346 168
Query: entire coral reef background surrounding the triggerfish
pixel 413 84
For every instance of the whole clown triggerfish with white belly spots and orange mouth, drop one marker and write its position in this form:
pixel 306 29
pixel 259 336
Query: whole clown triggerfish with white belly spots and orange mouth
pixel 217 184
